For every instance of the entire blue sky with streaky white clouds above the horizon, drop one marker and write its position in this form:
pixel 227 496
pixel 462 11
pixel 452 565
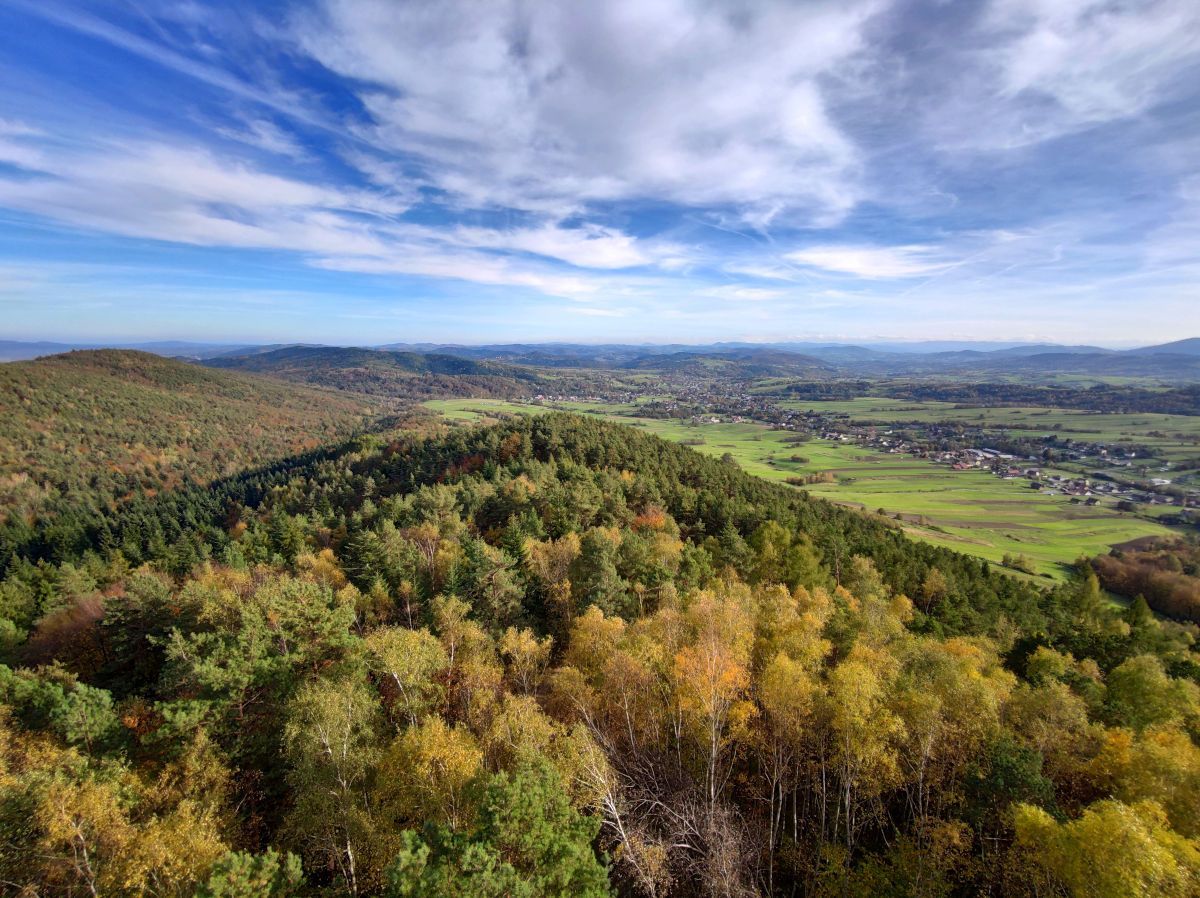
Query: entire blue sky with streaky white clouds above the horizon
pixel 641 171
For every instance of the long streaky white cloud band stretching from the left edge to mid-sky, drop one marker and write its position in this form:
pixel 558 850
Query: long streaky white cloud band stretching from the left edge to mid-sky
pixel 191 196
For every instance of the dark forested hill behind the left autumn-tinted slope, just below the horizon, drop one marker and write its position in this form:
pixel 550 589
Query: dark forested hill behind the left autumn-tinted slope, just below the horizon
pixel 377 372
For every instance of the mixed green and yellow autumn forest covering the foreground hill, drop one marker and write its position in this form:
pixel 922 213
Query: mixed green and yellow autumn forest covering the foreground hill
pixel 560 657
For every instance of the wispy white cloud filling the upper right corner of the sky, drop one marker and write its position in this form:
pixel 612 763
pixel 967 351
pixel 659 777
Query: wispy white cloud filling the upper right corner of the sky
pixel 1017 74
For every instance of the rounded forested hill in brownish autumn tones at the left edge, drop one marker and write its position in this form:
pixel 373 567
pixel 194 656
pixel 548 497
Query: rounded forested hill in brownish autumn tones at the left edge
pixel 93 427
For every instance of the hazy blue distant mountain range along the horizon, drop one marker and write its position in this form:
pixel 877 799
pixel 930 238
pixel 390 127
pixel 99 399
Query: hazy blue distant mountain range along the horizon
pixel 1178 361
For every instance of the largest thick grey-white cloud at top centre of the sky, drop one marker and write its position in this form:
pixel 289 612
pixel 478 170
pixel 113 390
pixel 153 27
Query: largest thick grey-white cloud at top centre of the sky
pixel 547 106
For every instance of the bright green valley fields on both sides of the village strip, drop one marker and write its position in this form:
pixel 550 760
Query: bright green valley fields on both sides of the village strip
pixel 973 511
